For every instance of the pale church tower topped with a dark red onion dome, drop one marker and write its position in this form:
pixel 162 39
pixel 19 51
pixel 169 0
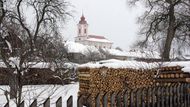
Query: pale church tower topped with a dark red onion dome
pixel 82 30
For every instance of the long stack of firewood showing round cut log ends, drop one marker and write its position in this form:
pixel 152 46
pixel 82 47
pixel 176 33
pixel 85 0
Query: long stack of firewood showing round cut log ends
pixel 96 80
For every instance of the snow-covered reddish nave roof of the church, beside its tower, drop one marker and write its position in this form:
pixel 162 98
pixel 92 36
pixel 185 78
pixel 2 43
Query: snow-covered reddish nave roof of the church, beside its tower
pixel 96 38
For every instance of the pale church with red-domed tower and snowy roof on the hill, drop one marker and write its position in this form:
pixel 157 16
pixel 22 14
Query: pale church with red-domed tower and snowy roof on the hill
pixel 90 40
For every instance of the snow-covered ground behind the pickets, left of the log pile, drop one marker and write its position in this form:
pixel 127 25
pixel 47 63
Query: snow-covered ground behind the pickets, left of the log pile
pixel 42 92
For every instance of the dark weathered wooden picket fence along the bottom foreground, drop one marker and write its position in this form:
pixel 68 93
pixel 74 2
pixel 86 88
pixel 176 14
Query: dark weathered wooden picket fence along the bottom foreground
pixel 175 95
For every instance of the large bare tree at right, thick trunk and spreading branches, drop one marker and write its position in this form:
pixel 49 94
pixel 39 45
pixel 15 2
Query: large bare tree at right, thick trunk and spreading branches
pixel 165 21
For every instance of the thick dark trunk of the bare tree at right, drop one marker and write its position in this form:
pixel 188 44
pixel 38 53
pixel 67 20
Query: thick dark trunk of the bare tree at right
pixel 170 34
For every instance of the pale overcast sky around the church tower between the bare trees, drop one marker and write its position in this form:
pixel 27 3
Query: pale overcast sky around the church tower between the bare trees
pixel 113 19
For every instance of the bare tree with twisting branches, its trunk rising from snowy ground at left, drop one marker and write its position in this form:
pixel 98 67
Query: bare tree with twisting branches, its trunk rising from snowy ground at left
pixel 26 43
